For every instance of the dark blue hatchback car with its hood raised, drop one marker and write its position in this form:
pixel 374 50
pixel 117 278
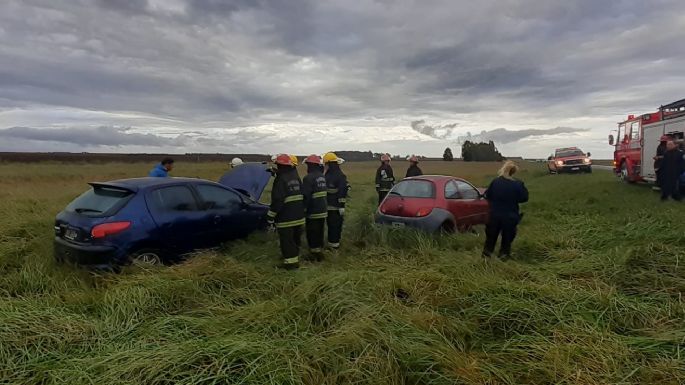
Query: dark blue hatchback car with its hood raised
pixel 156 220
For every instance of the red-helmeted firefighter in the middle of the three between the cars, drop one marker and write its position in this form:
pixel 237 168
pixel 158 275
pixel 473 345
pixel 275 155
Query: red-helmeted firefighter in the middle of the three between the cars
pixel 315 194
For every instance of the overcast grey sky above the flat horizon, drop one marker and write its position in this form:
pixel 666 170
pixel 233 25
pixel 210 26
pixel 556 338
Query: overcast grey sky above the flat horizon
pixel 308 76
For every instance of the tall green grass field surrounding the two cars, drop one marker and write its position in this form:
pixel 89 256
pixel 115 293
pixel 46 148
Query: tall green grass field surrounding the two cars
pixel 594 296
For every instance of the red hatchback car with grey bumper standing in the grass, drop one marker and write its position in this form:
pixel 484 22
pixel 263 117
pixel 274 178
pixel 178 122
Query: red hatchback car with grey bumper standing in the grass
pixel 434 203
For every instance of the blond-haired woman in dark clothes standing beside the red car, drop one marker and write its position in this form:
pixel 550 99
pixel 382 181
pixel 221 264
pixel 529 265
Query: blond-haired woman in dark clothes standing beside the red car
pixel 504 195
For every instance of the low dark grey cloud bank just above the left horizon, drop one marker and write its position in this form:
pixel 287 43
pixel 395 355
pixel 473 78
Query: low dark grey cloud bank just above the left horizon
pixel 100 136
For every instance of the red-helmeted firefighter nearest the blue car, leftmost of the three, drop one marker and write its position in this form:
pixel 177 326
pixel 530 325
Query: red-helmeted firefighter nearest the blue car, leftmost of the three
pixel 286 212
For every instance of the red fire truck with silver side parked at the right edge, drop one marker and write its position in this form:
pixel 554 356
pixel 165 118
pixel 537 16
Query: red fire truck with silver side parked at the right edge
pixel 638 137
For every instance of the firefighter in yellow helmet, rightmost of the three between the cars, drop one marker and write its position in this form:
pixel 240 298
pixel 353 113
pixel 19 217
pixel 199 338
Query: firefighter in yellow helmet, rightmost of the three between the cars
pixel 337 187
